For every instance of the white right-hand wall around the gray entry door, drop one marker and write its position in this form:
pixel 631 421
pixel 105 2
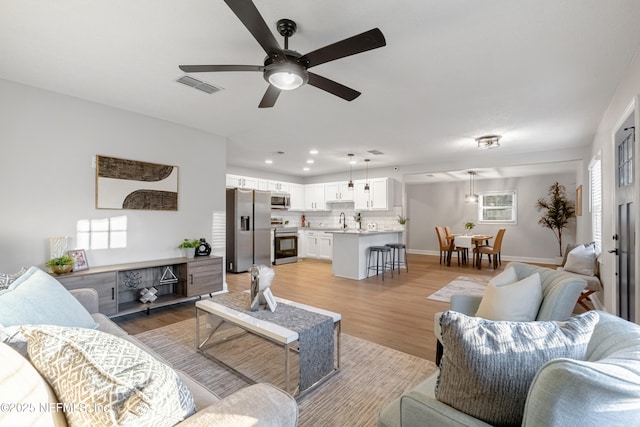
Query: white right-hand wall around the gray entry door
pixel 603 142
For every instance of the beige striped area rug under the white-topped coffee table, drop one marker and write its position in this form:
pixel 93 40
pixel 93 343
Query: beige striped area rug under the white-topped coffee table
pixel 370 375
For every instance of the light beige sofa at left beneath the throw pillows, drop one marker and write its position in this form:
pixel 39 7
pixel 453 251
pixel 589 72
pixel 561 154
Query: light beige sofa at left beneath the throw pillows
pixel 255 405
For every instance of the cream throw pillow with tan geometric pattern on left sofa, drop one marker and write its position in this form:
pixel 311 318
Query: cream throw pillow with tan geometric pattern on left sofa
pixel 106 379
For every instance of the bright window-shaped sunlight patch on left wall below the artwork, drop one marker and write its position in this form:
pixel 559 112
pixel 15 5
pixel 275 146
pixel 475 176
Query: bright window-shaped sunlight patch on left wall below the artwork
pixel 102 233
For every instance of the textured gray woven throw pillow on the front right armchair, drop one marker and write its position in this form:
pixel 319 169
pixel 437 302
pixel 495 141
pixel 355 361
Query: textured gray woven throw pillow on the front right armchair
pixel 488 366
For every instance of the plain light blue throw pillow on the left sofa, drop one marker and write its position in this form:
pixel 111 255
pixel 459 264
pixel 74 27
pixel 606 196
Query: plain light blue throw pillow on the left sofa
pixel 36 298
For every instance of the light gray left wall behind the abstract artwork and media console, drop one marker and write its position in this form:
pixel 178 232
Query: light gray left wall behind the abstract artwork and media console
pixel 48 183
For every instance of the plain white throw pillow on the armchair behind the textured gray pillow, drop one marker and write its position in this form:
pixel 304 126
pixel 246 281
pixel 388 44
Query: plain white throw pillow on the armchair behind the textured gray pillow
pixel 518 301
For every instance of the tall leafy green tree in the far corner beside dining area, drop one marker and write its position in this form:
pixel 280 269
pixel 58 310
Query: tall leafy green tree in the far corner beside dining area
pixel 557 210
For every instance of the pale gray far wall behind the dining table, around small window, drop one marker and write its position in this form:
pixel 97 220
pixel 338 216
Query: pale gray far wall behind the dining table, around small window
pixel 442 204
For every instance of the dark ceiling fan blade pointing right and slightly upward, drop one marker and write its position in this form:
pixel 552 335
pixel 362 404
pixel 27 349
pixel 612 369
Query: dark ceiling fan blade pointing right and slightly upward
pixel 368 40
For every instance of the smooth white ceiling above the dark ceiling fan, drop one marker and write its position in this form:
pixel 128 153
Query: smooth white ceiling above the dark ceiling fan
pixel 538 72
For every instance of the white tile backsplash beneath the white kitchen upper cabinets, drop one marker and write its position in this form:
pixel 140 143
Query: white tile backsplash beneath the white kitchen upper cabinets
pixel 384 220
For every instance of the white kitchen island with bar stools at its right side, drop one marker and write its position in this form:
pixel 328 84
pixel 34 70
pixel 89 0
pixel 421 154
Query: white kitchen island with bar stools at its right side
pixel 351 250
